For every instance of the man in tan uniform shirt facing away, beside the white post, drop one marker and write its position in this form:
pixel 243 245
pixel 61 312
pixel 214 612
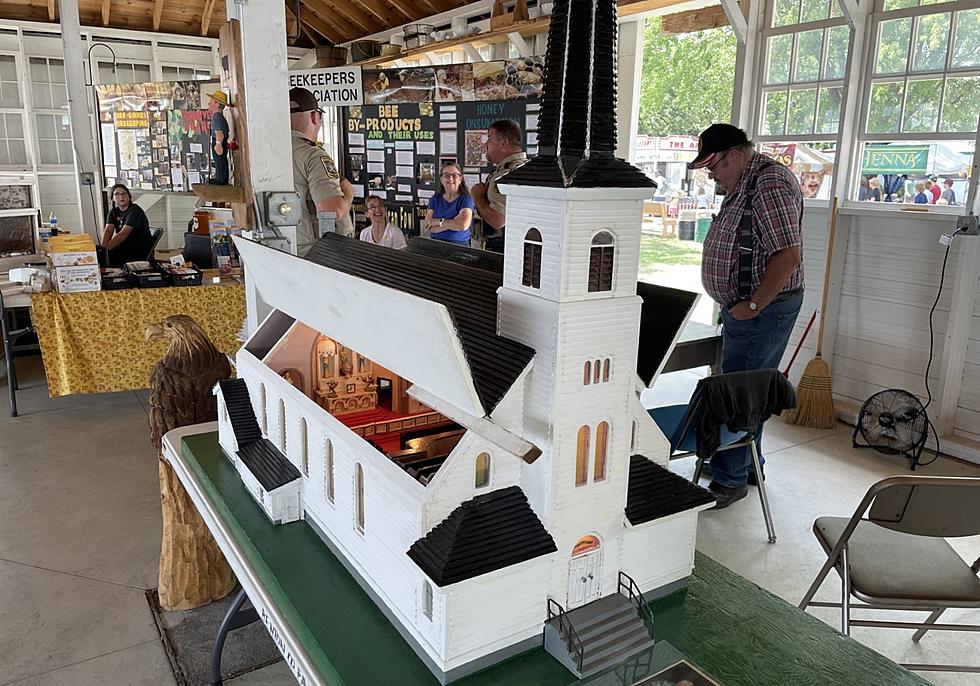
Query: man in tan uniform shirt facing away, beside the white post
pixel 315 176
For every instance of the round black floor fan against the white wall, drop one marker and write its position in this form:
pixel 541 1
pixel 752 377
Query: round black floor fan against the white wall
pixel 893 422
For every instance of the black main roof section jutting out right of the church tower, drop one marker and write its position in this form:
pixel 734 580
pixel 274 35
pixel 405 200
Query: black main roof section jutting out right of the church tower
pixel 661 317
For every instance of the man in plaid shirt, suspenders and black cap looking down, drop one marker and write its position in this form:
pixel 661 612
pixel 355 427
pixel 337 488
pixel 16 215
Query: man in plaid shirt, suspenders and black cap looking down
pixel 752 267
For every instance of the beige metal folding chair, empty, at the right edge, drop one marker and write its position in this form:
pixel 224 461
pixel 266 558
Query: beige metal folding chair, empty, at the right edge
pixel 891 554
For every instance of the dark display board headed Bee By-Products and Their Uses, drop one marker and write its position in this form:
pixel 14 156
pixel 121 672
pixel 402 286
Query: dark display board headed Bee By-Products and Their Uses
pixel 417 119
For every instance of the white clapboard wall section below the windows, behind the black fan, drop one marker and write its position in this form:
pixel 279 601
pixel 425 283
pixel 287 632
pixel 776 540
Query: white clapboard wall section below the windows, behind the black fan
pixel 889 282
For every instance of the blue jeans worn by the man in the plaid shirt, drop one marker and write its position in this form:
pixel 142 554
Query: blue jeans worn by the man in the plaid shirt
pixel 757 343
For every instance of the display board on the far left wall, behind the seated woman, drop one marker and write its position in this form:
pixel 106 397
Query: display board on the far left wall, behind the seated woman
pixel 156 136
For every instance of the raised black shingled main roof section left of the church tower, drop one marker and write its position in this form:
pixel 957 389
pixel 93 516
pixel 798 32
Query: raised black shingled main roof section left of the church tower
pixel 469 294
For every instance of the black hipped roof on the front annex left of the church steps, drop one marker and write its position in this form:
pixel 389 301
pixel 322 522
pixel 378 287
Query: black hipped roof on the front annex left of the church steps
pixel 482 535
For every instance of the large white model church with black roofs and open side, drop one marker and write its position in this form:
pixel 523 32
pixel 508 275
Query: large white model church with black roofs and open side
pixel 465 432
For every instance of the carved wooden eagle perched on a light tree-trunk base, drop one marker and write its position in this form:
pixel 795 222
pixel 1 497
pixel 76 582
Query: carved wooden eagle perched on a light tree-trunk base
pixel 193 571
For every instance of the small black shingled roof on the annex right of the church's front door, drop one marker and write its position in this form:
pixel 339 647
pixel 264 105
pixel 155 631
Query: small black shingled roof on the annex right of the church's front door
pixel 655 492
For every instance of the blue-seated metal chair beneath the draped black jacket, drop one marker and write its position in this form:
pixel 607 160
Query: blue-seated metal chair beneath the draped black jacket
pixel 679 423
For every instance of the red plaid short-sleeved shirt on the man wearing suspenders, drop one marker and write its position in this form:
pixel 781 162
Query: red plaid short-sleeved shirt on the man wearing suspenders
pixel 776 207
